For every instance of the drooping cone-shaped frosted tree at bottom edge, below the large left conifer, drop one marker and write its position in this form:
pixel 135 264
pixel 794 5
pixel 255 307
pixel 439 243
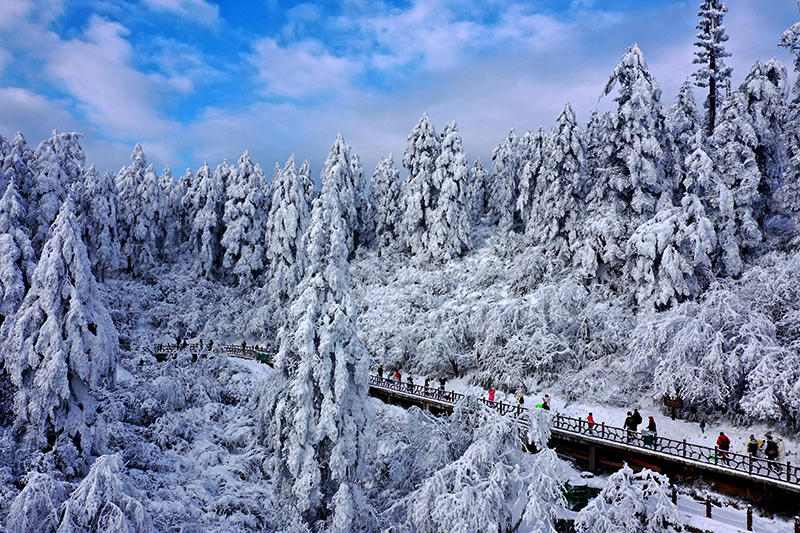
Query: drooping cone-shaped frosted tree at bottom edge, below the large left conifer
pixel 106 500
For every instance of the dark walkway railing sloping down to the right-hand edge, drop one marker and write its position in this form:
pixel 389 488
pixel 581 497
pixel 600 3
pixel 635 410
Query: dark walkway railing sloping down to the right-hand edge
pixel 702 456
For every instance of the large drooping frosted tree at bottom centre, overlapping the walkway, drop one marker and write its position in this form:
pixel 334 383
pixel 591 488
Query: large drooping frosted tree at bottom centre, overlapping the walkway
pixel 489 484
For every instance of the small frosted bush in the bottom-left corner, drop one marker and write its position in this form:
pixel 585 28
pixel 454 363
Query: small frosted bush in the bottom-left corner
pixel 36 507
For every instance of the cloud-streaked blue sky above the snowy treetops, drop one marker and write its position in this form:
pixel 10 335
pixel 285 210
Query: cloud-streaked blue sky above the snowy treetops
pixel 198 80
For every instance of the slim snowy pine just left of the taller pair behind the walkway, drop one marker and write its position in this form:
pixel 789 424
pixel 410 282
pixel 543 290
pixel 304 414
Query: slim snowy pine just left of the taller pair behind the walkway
pixel 385 195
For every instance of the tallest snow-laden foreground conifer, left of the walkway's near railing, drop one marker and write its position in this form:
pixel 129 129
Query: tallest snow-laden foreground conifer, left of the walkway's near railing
pixel 315 411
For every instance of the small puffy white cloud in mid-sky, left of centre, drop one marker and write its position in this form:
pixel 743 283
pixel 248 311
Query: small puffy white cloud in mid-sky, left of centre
pixel 300 70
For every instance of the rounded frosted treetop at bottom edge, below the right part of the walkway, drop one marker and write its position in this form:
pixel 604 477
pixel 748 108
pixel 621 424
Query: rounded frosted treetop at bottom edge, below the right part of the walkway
pixel 632 503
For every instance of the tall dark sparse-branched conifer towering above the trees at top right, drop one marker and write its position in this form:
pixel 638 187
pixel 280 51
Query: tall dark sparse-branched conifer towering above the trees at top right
pixel 711 56
